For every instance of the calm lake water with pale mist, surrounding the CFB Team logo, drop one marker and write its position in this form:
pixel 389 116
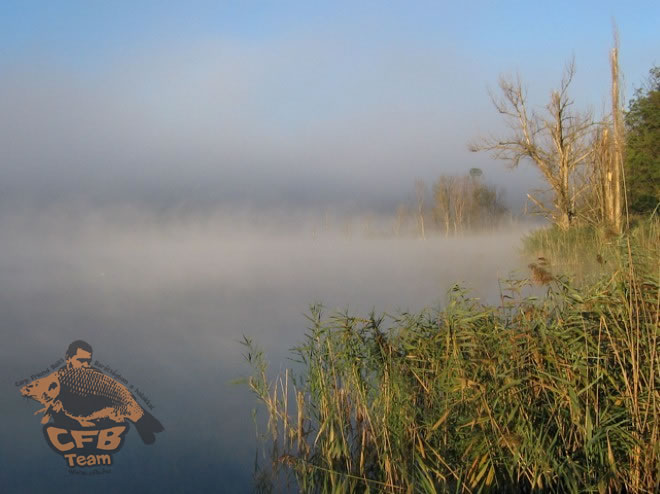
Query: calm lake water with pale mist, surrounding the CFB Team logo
pixel 165 300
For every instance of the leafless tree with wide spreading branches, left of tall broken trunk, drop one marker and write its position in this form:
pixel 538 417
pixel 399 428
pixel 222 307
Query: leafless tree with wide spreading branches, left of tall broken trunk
pixel 555 142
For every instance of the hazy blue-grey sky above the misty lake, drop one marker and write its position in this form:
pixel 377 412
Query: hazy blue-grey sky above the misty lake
pixel 267 103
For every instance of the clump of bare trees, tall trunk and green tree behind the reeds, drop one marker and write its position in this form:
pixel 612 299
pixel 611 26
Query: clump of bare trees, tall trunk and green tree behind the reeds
pixel 580 158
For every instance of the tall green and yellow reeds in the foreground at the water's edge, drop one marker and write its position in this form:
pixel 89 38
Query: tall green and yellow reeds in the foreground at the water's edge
pixel 558 394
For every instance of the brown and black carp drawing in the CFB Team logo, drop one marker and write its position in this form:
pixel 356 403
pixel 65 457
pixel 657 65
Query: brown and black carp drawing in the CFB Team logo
pixel 87 395
